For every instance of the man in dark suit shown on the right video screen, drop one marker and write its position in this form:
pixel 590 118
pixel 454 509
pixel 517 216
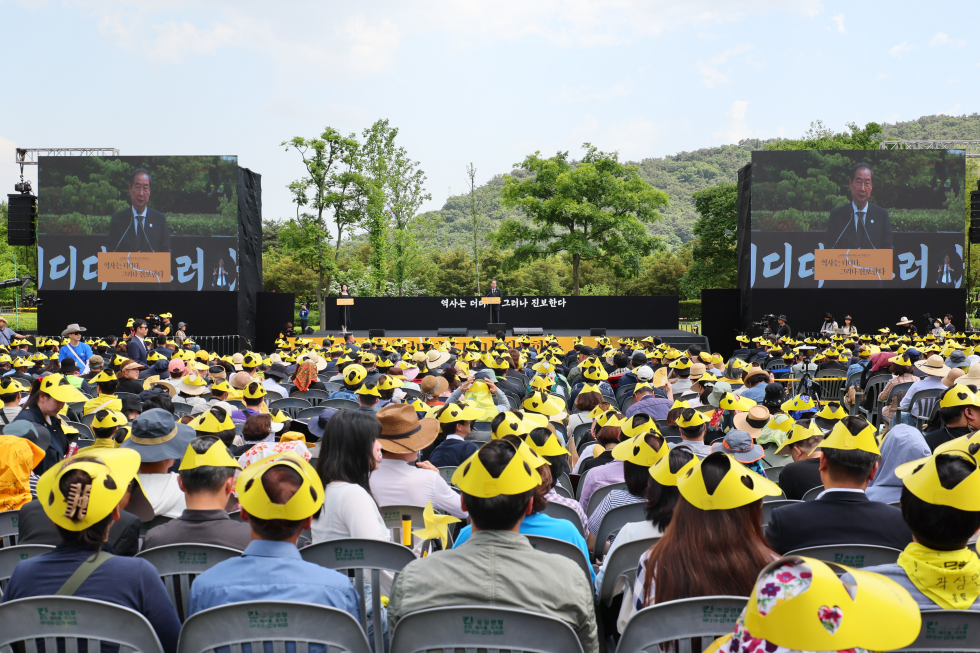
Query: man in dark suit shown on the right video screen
pixel 860 224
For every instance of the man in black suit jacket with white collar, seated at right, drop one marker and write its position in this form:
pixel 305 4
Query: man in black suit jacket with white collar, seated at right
pixel 842 514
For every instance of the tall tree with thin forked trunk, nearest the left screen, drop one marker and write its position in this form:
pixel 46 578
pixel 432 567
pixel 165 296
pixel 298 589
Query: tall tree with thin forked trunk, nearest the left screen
pixel 333 196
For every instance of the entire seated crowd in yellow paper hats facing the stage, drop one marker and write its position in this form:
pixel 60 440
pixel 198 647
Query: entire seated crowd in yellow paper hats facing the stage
pixel 108 449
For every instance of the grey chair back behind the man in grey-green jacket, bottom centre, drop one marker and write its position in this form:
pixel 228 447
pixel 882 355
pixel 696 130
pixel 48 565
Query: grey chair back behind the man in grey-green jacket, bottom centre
pixel 482 627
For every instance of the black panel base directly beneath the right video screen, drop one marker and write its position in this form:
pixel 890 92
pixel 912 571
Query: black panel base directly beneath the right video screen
pixel 870 309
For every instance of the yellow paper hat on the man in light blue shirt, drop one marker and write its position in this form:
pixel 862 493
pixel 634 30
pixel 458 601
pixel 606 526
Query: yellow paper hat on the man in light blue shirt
pixel 303 504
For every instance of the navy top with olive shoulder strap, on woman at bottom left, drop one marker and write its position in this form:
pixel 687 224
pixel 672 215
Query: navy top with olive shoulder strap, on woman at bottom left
pixel 130 582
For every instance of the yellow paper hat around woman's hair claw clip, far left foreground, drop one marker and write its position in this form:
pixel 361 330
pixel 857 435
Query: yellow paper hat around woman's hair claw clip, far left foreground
pixel 111 471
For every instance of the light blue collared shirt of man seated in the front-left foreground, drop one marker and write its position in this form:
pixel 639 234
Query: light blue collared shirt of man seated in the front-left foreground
pixel 272 571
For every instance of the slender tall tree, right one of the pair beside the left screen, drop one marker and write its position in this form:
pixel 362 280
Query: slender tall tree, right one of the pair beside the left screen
pixel 402 184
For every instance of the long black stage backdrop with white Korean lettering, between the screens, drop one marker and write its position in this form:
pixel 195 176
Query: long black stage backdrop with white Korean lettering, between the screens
pixel 431 313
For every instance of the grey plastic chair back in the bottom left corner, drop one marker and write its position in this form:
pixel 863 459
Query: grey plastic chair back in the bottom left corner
pixel 72 619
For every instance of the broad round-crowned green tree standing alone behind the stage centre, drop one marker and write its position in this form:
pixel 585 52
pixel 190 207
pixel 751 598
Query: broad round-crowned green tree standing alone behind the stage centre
pixel 596 209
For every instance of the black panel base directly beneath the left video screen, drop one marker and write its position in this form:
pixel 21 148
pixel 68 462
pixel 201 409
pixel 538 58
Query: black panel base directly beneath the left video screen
pixel 105 313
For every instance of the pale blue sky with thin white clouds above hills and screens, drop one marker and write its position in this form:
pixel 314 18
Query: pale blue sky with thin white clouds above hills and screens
pixel 480 81
